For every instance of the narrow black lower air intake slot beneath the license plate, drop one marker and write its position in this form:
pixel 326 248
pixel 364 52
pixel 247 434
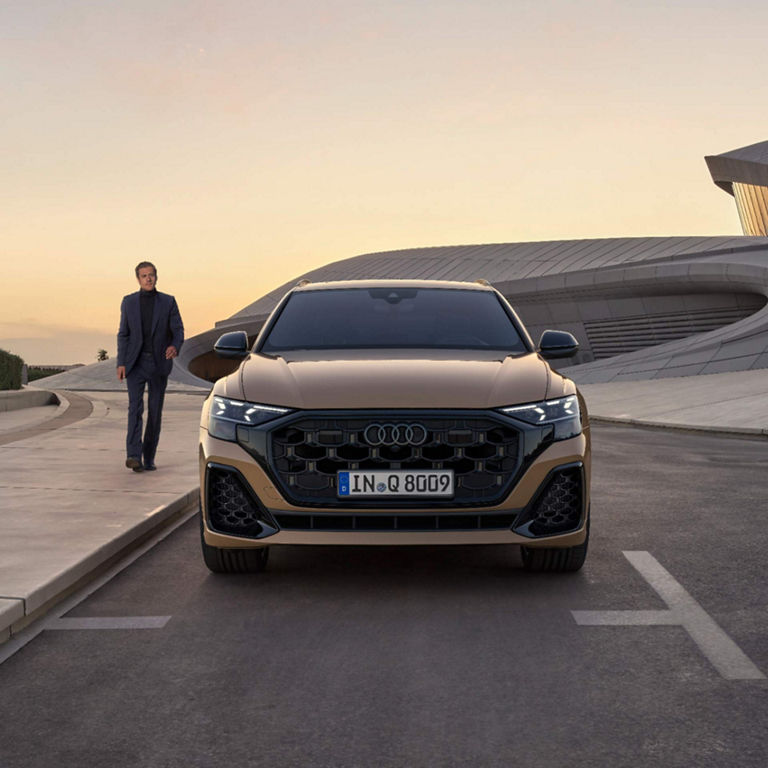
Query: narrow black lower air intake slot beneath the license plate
pixel 489 522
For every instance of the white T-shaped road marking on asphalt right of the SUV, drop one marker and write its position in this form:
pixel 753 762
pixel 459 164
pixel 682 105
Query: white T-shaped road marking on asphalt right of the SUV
pixel 729 660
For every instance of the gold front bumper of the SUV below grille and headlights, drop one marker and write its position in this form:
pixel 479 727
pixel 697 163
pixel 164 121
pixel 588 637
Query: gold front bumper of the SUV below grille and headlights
pixel 282 522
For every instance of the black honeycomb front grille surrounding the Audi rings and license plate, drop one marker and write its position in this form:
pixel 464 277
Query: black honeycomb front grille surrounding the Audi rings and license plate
pixel 482 452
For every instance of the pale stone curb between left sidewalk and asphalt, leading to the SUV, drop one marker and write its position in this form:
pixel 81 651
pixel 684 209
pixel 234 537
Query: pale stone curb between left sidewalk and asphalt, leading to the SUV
pixel 16 613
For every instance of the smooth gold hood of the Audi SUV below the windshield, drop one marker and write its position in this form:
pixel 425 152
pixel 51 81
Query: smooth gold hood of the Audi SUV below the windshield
pixel 411 380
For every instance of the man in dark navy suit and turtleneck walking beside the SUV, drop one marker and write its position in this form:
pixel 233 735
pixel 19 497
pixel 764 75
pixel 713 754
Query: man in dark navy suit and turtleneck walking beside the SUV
pixel 150 336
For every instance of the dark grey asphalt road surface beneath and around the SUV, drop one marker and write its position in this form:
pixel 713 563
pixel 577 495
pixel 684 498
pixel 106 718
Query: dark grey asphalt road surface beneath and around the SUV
pixel 428 656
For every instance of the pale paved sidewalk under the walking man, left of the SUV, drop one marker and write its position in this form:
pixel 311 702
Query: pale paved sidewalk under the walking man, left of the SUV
pixel 68 504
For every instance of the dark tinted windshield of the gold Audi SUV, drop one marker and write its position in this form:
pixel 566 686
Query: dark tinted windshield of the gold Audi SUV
pixel 393 318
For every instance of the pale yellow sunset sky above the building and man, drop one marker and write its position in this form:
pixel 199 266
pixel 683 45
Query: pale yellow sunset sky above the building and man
pixel 238 144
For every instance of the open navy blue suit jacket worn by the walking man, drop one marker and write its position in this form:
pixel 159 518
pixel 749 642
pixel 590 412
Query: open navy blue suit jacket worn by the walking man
pixel 167 331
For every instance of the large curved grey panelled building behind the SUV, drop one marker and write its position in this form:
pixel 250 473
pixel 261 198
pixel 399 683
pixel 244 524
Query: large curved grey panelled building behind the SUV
pixel 641 307
